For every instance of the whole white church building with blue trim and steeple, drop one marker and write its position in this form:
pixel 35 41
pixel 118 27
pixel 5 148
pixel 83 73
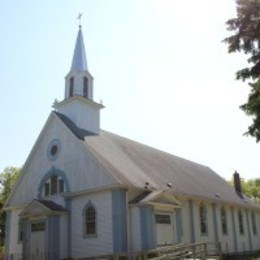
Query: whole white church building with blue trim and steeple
pixel 85 192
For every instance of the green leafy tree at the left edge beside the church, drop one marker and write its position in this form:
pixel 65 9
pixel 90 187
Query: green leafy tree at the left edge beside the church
pixel 7 179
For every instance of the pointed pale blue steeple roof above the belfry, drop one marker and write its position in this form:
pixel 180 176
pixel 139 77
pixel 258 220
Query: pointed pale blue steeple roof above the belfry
pixel 79 61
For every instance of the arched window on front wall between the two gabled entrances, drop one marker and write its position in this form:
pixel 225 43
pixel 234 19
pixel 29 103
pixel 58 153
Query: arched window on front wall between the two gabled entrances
pixel 90 220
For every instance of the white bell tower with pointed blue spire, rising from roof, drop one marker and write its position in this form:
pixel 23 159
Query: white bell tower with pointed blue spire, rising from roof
pixel 78 104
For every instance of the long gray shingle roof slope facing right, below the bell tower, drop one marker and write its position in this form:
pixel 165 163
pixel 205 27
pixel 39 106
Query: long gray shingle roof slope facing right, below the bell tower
pixel 141 166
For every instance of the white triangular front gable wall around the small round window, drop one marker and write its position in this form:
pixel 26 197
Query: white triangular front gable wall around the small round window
pixel 81 168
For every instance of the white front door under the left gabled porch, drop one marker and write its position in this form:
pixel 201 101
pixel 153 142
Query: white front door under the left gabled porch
pixel 37 241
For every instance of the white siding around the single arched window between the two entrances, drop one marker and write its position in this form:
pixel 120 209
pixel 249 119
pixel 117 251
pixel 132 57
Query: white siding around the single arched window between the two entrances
pixel 103 242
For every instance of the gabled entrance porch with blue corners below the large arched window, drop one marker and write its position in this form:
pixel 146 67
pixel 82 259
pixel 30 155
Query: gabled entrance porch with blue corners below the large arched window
pixel 39 230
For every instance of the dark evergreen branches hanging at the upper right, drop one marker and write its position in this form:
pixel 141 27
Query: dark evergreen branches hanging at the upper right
pixel 246 39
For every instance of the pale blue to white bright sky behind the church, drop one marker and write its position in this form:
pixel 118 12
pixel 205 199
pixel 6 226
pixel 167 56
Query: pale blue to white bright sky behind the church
pixel 160 68
